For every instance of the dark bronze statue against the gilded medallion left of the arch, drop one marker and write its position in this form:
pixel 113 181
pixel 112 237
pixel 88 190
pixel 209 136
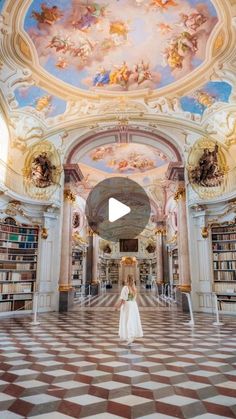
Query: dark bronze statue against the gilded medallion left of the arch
pixel 42 171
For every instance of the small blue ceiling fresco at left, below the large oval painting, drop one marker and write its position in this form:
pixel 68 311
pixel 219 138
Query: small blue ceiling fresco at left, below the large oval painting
pixel 39 99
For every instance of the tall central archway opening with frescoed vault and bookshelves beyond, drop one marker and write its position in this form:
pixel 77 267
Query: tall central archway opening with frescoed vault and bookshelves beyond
pixel 145 158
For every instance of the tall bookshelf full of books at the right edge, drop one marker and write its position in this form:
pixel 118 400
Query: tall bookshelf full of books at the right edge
pixel 224 262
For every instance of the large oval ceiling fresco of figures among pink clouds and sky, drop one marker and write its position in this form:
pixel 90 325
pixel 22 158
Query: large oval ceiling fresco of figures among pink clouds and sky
pixel 121 45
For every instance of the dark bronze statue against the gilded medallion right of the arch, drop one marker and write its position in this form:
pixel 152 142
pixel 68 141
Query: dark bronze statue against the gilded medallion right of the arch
pixel 207 172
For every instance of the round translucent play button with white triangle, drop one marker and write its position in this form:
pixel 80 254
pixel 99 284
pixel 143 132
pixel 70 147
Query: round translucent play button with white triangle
pixel 118 208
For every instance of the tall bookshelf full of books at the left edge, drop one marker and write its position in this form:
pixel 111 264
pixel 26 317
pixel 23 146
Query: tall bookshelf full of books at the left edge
pixel 18 265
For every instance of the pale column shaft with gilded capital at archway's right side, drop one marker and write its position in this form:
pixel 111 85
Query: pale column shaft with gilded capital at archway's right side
pixel 182 240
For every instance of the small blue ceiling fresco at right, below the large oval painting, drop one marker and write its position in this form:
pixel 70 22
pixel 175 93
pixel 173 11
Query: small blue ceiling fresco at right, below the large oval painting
pixel 206 96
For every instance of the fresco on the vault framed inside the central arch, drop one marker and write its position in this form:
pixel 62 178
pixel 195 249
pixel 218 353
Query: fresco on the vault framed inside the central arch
pixel 124 158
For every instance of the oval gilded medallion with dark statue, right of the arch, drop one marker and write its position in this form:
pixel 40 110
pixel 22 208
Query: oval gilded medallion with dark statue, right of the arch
pixel 207 168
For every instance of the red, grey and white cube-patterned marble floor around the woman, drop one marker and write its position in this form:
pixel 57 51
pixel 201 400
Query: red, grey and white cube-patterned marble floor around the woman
pixel 73 366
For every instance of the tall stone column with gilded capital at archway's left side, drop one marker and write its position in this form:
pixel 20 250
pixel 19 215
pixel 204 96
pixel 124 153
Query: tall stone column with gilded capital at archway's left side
pixel 65 287
